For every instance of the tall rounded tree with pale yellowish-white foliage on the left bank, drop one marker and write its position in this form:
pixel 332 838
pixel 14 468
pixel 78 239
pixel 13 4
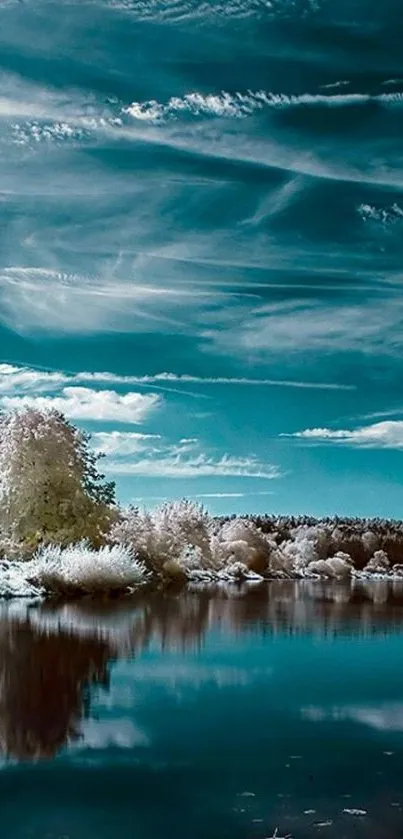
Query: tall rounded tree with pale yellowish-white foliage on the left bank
pixel 50 487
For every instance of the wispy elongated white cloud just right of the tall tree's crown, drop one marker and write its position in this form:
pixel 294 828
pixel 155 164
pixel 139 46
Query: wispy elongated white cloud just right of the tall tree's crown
pixel 176 465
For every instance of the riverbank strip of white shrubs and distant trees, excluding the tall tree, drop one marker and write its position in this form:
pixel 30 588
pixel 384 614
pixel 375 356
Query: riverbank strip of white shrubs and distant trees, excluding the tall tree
pixel 179 545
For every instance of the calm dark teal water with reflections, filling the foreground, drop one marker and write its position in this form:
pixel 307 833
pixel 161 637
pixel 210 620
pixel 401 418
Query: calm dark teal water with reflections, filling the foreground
pixel 205 716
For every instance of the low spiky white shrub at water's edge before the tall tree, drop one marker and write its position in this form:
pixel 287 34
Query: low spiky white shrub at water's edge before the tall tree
pixel 78 569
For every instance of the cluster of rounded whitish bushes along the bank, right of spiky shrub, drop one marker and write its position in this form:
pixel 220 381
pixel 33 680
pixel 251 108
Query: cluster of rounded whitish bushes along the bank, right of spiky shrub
pixel 182 536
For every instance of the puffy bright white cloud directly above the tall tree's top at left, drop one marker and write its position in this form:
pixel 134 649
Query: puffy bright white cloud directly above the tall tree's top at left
pixel 82 403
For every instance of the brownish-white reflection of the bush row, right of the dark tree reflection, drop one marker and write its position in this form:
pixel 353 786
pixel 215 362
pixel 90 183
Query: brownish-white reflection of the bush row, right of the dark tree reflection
pixel 285 607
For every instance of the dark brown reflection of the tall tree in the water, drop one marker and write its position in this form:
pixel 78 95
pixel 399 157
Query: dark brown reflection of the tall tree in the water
pixel 44 687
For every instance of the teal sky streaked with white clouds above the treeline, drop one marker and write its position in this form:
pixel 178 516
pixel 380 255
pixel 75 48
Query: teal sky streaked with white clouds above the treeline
pixel 201 221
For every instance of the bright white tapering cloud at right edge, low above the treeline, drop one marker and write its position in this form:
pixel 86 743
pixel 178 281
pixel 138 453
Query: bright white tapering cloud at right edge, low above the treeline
pixel 380 435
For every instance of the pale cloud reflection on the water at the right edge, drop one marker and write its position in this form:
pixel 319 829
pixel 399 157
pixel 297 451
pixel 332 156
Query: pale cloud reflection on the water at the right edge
pixel 386 717
